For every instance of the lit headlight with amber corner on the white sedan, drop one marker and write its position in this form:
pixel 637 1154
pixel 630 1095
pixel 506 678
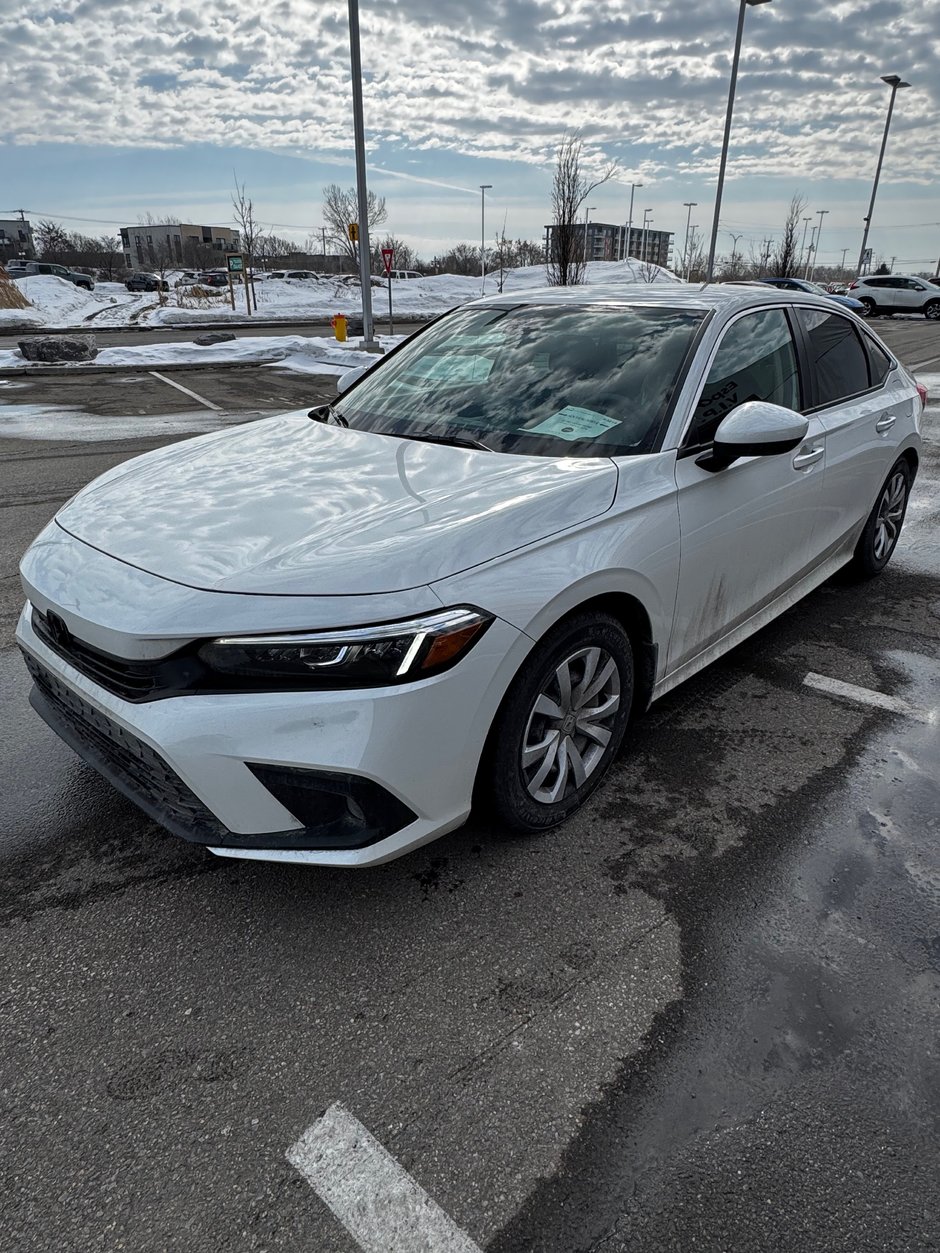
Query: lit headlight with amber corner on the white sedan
pixel 364 657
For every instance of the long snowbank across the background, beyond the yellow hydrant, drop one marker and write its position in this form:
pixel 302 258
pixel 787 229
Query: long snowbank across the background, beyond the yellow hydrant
pixel 60 304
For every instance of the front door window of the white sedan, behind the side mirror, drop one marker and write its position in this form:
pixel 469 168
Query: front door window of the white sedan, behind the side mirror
pixel 756 360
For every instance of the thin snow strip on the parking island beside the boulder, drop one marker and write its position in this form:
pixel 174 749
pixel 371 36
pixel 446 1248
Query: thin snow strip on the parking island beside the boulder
pixel 298 353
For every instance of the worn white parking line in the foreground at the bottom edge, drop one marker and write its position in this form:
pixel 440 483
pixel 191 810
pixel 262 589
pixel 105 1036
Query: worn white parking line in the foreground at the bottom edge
pixel 375 1200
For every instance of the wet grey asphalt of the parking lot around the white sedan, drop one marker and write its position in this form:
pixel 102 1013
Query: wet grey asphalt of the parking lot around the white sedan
pixel 702 1016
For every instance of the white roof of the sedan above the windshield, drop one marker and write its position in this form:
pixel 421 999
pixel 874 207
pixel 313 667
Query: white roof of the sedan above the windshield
pixel 728 298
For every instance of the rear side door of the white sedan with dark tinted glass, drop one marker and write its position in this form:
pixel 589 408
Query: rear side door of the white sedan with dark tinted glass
pixel 865 408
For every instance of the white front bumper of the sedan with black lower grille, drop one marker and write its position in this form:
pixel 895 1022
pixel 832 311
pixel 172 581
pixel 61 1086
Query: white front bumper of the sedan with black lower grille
pixel 189 761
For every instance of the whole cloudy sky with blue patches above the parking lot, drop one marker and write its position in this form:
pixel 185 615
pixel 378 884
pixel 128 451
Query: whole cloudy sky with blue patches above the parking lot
pixel 113 108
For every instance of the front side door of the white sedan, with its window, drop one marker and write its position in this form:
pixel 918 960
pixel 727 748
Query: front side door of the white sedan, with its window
pixel 751 531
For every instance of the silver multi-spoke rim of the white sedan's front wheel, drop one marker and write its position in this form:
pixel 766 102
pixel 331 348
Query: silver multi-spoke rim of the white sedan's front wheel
pixel 571 725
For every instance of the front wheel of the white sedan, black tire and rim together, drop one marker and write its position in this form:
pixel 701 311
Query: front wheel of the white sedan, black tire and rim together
pixel 561 725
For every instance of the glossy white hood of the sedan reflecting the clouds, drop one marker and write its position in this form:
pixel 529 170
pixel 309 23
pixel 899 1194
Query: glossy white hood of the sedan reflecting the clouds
pixel 290 507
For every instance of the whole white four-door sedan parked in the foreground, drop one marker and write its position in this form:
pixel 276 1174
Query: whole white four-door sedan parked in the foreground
pixel 325 637
